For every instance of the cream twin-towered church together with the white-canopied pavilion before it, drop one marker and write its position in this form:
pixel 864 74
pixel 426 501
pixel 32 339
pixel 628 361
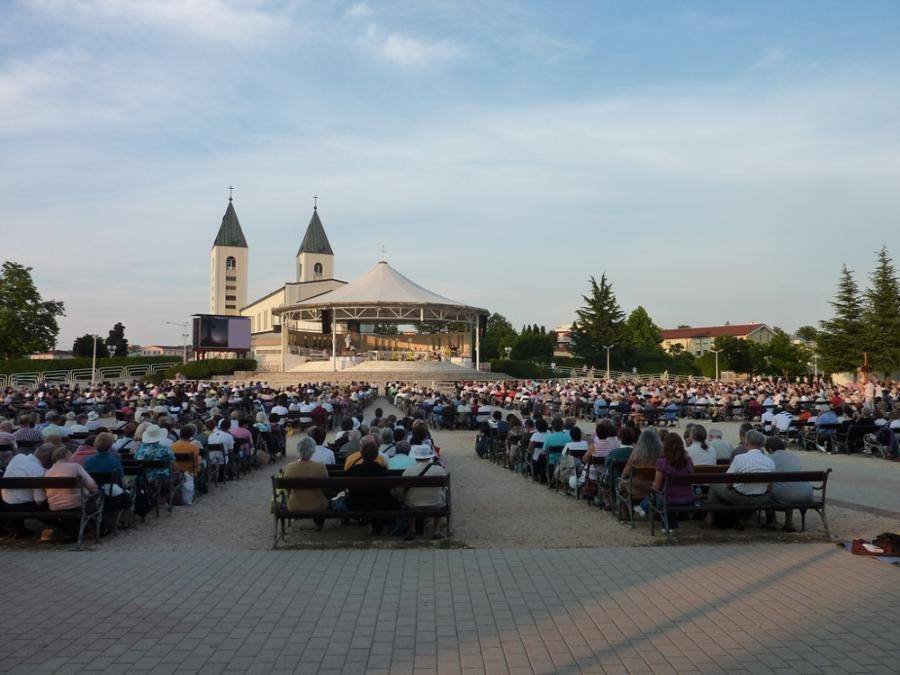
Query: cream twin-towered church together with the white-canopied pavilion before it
pixel 380 315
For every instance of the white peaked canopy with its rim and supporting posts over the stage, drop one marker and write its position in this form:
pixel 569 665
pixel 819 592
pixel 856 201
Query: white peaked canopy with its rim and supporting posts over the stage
pixel 383 295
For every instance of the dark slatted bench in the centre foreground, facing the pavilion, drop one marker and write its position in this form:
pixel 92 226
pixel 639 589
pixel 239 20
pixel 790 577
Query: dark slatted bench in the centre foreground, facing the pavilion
pixel 336 484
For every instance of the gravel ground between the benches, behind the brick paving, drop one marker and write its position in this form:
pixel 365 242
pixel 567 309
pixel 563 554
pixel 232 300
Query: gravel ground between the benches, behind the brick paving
pixel 492 508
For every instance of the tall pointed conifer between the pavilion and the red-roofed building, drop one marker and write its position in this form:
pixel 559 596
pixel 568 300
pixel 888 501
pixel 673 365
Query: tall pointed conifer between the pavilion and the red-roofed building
pixel 599 323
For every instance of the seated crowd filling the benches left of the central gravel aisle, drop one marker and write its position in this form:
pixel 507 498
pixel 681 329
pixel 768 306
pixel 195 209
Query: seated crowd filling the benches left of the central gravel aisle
pixel 218 431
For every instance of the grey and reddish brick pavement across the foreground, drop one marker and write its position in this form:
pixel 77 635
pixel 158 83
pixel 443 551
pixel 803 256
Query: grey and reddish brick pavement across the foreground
pixel 796 608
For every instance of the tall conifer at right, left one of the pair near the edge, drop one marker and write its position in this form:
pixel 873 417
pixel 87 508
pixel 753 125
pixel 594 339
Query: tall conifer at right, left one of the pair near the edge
pixel 841 341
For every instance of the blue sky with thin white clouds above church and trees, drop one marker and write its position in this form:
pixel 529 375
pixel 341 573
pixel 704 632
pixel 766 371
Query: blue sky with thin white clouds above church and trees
pixel 719 161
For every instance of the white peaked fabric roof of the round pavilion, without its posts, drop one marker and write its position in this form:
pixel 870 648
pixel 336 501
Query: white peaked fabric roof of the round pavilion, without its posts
pixel 381 285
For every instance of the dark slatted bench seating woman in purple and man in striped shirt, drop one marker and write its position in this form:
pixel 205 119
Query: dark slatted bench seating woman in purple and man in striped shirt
pixel 659 507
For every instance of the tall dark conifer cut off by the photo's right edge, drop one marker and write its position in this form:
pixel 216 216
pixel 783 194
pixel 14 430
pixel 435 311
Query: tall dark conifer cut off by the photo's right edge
pixel 882 316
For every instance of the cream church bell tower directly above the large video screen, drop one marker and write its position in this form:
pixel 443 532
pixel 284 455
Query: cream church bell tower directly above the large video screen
pixel 228 266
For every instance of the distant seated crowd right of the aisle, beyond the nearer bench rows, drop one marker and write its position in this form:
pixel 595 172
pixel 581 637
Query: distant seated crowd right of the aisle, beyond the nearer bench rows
pixel 780 405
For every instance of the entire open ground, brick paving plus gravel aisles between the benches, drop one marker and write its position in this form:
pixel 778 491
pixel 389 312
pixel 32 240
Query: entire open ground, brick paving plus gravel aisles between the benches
pixel 533 583
